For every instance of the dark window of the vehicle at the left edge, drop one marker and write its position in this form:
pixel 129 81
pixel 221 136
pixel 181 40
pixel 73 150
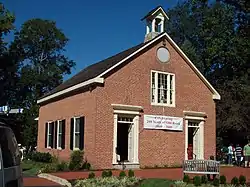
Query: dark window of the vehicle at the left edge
pixel 9 147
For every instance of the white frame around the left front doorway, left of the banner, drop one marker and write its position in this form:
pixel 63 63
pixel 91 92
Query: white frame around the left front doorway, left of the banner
pixel 134 112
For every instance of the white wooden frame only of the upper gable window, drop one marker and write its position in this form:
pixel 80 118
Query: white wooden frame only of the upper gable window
pixel 156 89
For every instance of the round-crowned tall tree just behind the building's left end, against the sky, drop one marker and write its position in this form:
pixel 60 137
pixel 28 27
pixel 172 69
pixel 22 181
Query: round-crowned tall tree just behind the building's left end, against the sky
pixel 39 47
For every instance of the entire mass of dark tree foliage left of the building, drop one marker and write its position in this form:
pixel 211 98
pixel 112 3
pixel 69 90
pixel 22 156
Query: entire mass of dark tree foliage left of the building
pixel 31 65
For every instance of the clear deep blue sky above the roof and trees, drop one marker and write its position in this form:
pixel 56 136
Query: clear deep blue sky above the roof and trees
pixel 96 29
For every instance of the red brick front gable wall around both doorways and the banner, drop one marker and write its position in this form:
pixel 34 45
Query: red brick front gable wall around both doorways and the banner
pixel 131 85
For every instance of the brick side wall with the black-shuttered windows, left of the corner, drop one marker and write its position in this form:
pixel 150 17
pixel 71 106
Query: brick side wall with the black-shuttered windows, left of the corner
pixel 83 104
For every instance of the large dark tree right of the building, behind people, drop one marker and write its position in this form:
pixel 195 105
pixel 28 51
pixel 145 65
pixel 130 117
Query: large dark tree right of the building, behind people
pixel 215 36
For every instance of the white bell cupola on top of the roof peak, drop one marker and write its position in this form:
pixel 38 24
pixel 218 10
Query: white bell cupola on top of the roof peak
pixel 155 22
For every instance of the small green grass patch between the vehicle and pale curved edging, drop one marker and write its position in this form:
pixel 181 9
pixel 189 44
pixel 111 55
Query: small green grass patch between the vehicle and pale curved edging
pixel 30 168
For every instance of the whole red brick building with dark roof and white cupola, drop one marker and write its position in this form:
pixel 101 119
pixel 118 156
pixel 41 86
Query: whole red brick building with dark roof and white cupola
pixel 146 106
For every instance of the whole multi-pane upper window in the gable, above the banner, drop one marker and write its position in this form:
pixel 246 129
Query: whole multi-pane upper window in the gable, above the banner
pixel 162 88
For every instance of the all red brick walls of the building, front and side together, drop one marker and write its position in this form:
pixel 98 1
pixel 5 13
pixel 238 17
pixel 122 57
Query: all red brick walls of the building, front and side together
pixel 131 85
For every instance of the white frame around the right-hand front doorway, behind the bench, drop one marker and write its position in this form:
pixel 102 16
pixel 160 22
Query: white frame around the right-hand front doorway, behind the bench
pixel 200 117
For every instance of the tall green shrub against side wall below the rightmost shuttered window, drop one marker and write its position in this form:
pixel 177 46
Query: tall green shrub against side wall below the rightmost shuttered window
pixel 76 160
